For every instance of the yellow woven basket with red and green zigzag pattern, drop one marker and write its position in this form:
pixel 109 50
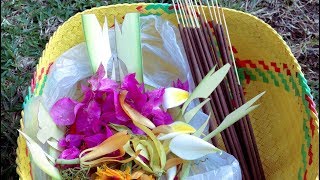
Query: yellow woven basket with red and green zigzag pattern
pixel 285 125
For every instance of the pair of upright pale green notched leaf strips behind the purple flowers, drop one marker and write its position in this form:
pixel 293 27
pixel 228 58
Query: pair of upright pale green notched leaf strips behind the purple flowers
pixel 127 57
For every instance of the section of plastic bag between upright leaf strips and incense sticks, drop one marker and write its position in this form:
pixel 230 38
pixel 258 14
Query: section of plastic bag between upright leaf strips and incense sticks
pixel 164 58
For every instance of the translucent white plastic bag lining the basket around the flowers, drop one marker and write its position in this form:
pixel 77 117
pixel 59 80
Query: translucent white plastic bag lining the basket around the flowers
pixel 164 61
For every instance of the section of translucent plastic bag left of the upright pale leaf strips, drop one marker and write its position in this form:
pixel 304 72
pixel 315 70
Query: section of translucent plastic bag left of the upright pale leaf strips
pixel 71 67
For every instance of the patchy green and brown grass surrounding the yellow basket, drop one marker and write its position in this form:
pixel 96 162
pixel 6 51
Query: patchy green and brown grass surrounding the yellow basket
pixel 27 25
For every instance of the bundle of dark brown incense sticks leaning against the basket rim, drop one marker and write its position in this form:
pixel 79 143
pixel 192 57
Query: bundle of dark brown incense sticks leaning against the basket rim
pixel 207 44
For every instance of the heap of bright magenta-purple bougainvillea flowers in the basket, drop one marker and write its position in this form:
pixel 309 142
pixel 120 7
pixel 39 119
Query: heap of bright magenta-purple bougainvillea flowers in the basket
pixel 88 120
